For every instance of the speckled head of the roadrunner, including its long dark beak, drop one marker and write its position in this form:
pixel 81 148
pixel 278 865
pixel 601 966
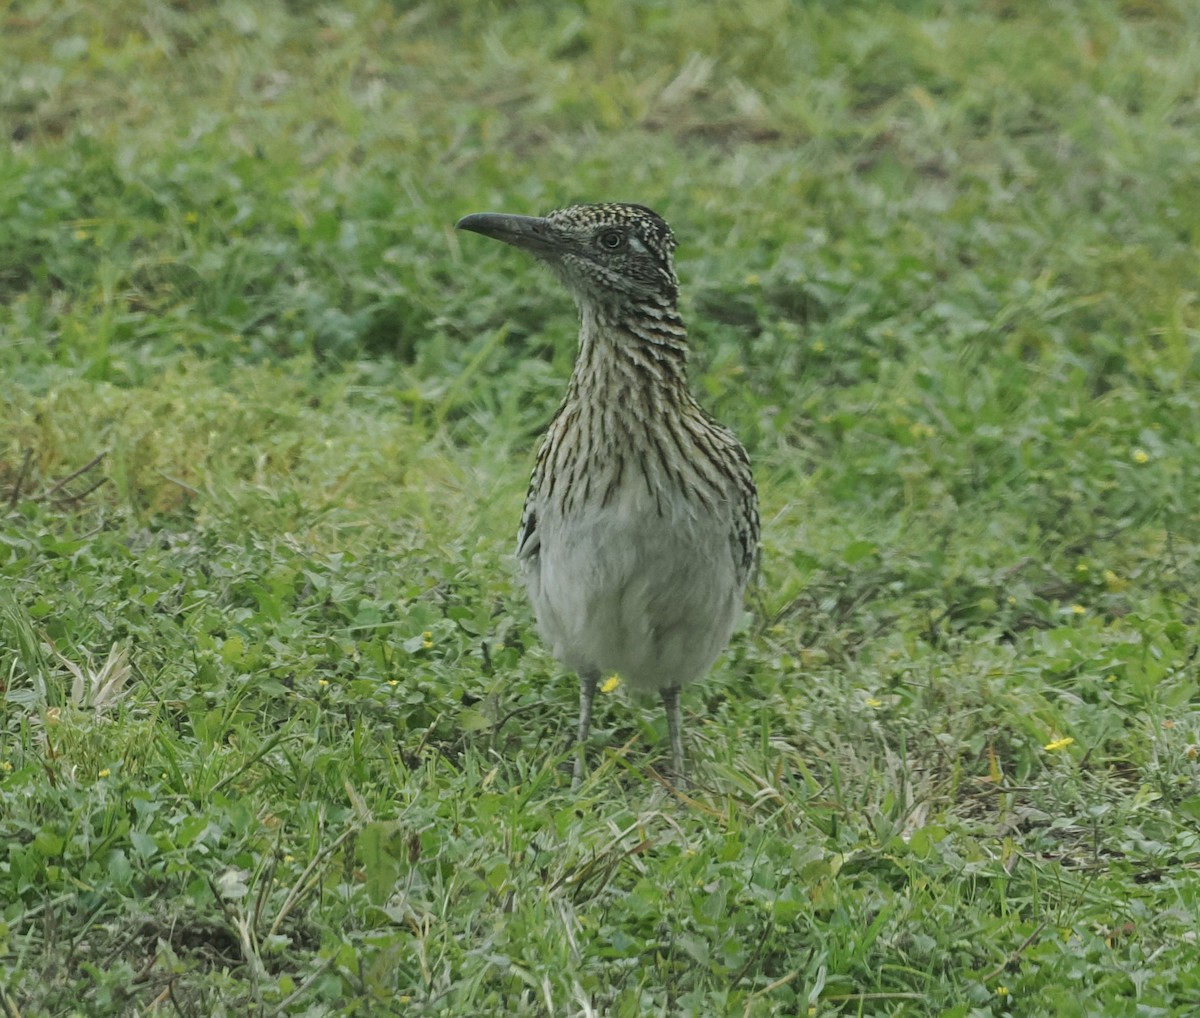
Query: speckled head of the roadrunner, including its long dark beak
pixel 610 256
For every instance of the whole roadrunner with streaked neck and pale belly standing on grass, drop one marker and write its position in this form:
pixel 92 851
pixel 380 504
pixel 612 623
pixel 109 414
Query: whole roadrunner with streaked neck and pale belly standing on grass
pixel 640 530
